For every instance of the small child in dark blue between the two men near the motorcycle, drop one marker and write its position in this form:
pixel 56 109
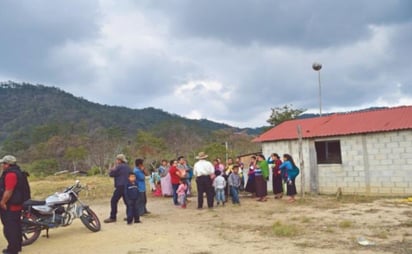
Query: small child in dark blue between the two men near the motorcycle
pixel 132 196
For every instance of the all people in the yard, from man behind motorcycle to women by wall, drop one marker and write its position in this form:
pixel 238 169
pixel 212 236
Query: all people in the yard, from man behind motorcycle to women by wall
pixel 216 181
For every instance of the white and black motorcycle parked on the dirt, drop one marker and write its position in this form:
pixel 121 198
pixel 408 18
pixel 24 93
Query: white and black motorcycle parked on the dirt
pixel 58 210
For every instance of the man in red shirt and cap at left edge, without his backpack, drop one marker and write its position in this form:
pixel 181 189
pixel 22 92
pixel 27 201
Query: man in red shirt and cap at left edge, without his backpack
pixel 10 204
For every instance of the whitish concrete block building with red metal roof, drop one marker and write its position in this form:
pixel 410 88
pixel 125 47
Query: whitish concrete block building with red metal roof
pixel 367 152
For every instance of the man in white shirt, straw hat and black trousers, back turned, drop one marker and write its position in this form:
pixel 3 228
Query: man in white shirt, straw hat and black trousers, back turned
pixel 204 171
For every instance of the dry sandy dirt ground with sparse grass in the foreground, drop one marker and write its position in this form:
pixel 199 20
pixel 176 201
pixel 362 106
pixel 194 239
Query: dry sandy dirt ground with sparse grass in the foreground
pixel 312 225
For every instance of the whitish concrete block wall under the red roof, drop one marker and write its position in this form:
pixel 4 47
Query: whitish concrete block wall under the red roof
pixel 376 163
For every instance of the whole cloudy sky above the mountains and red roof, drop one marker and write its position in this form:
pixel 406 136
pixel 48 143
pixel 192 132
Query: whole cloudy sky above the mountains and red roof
pixel 229 61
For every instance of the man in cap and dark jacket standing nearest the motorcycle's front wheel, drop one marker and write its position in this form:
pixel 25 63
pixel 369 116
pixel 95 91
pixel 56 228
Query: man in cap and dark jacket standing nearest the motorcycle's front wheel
pixel 120 173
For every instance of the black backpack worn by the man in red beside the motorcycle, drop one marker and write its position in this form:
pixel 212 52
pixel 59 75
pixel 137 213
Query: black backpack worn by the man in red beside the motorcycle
pixel 22 191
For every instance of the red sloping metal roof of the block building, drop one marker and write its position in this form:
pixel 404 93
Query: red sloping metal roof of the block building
pixel 380 120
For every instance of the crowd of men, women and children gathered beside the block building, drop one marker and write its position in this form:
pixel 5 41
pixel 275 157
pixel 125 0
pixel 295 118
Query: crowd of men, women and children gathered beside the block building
pixel 219 182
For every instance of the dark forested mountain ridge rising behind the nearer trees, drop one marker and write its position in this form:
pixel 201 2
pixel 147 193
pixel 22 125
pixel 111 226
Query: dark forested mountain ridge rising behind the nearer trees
pixel 25 106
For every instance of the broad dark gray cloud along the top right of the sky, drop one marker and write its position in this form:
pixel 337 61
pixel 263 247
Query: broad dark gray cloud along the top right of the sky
pixel 304 23
